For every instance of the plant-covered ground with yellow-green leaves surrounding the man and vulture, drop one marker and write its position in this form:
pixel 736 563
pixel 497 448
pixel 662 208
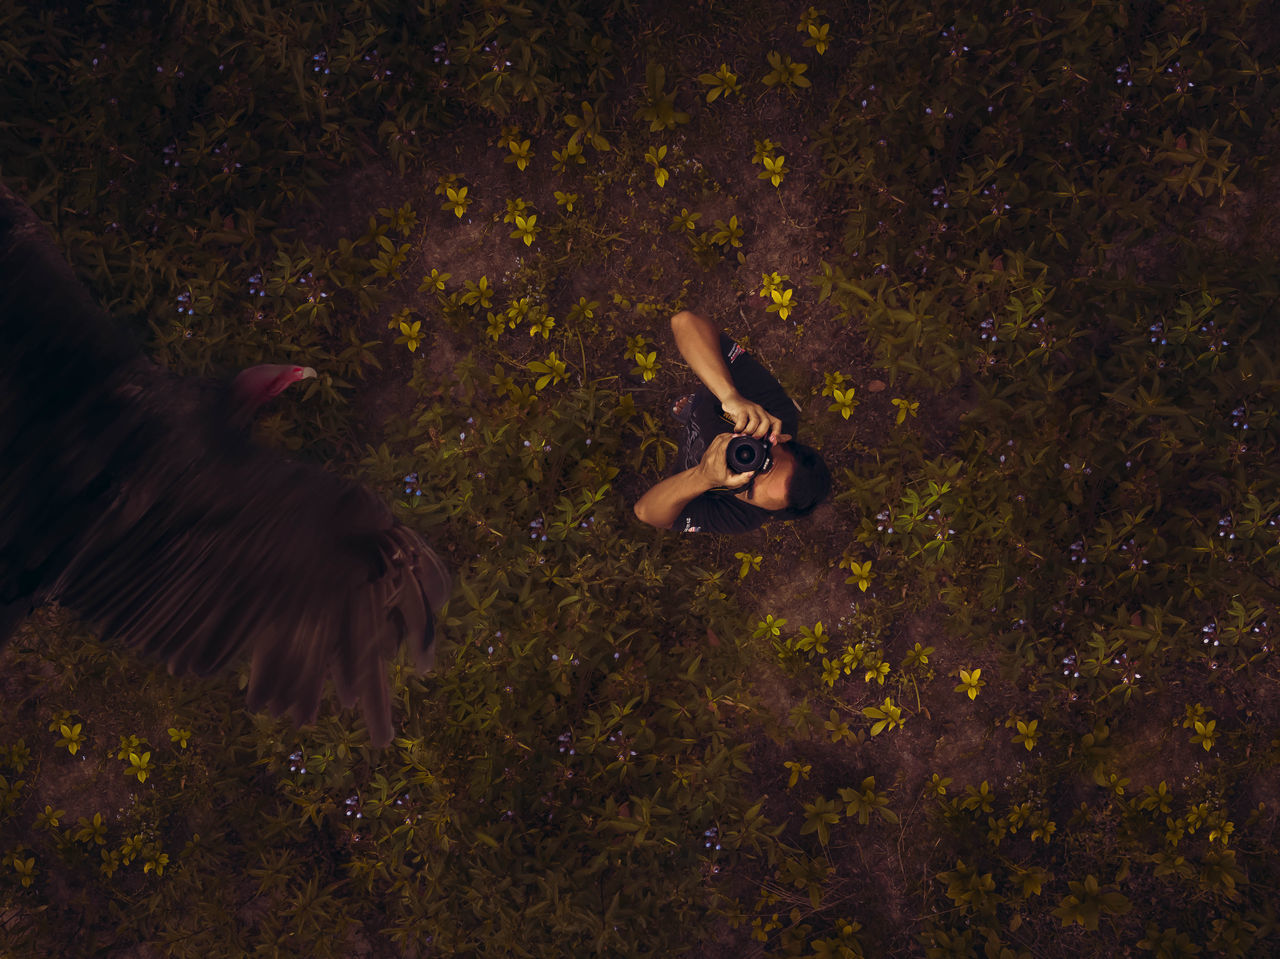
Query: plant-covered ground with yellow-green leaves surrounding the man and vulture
pixel 1013 695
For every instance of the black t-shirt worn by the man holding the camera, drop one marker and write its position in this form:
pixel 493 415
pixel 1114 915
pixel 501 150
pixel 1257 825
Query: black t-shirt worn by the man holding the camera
pixel 723 512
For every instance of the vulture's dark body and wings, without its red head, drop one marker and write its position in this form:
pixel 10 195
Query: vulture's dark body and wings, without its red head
pixel 126 499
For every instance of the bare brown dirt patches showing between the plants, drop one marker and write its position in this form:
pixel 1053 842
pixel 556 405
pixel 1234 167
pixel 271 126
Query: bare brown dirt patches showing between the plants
pixel 789 231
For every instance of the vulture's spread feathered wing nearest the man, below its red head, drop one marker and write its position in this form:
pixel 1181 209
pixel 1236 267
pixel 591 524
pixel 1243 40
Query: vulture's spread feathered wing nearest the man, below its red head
pixel 309 573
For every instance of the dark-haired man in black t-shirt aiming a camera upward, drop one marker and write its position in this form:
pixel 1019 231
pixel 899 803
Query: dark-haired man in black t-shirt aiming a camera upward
pixel 729 485
